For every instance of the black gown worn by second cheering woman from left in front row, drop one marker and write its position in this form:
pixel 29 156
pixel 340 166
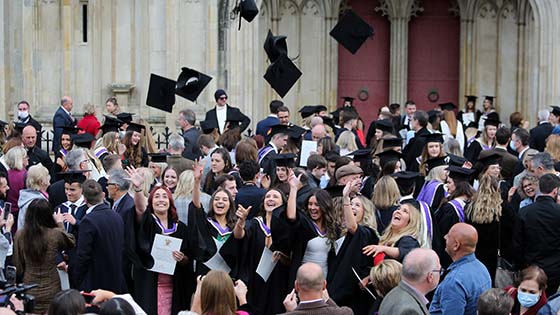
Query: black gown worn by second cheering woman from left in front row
pixel 202 234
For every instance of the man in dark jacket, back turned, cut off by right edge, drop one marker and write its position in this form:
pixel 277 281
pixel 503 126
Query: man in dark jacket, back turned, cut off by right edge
pixel 537 235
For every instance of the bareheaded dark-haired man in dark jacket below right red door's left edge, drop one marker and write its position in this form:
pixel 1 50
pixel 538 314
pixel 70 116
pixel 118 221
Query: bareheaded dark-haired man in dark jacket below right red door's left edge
pixel 414 148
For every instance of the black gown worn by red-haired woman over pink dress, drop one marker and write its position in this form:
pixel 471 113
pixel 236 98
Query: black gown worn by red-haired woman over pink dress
pixel 146 282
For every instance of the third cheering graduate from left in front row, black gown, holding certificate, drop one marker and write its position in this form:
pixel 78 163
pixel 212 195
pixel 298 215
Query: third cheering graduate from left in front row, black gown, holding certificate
pixel 267 234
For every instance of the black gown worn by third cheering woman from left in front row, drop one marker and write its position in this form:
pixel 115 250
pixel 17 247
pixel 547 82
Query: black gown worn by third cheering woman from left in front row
pixel 265 297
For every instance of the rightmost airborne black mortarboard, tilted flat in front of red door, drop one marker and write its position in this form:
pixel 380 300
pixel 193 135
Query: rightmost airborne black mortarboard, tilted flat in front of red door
pixel 351 31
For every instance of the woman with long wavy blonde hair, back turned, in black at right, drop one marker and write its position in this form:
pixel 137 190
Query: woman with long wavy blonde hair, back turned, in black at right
pixel 493 220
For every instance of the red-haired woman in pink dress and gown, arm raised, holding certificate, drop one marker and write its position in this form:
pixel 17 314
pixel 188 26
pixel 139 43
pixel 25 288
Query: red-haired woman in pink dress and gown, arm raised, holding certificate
pixel 159 293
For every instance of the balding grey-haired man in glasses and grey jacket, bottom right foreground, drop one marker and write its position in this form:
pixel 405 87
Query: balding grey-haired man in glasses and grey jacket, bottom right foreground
pixel 420 275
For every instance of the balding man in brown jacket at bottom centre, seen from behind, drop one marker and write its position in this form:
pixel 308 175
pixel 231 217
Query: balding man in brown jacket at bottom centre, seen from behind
pixel 311 288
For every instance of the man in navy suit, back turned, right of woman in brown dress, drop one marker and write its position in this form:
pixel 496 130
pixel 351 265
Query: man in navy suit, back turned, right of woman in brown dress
pixel 100 245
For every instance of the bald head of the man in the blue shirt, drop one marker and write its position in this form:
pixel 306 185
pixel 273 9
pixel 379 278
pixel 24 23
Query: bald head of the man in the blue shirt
pixel 461 240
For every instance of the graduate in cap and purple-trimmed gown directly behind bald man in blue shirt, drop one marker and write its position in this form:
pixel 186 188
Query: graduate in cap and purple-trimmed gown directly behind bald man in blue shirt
pixel 453 208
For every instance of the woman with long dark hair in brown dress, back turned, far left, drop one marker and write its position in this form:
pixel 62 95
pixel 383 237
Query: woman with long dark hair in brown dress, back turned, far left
pixel 36 248
